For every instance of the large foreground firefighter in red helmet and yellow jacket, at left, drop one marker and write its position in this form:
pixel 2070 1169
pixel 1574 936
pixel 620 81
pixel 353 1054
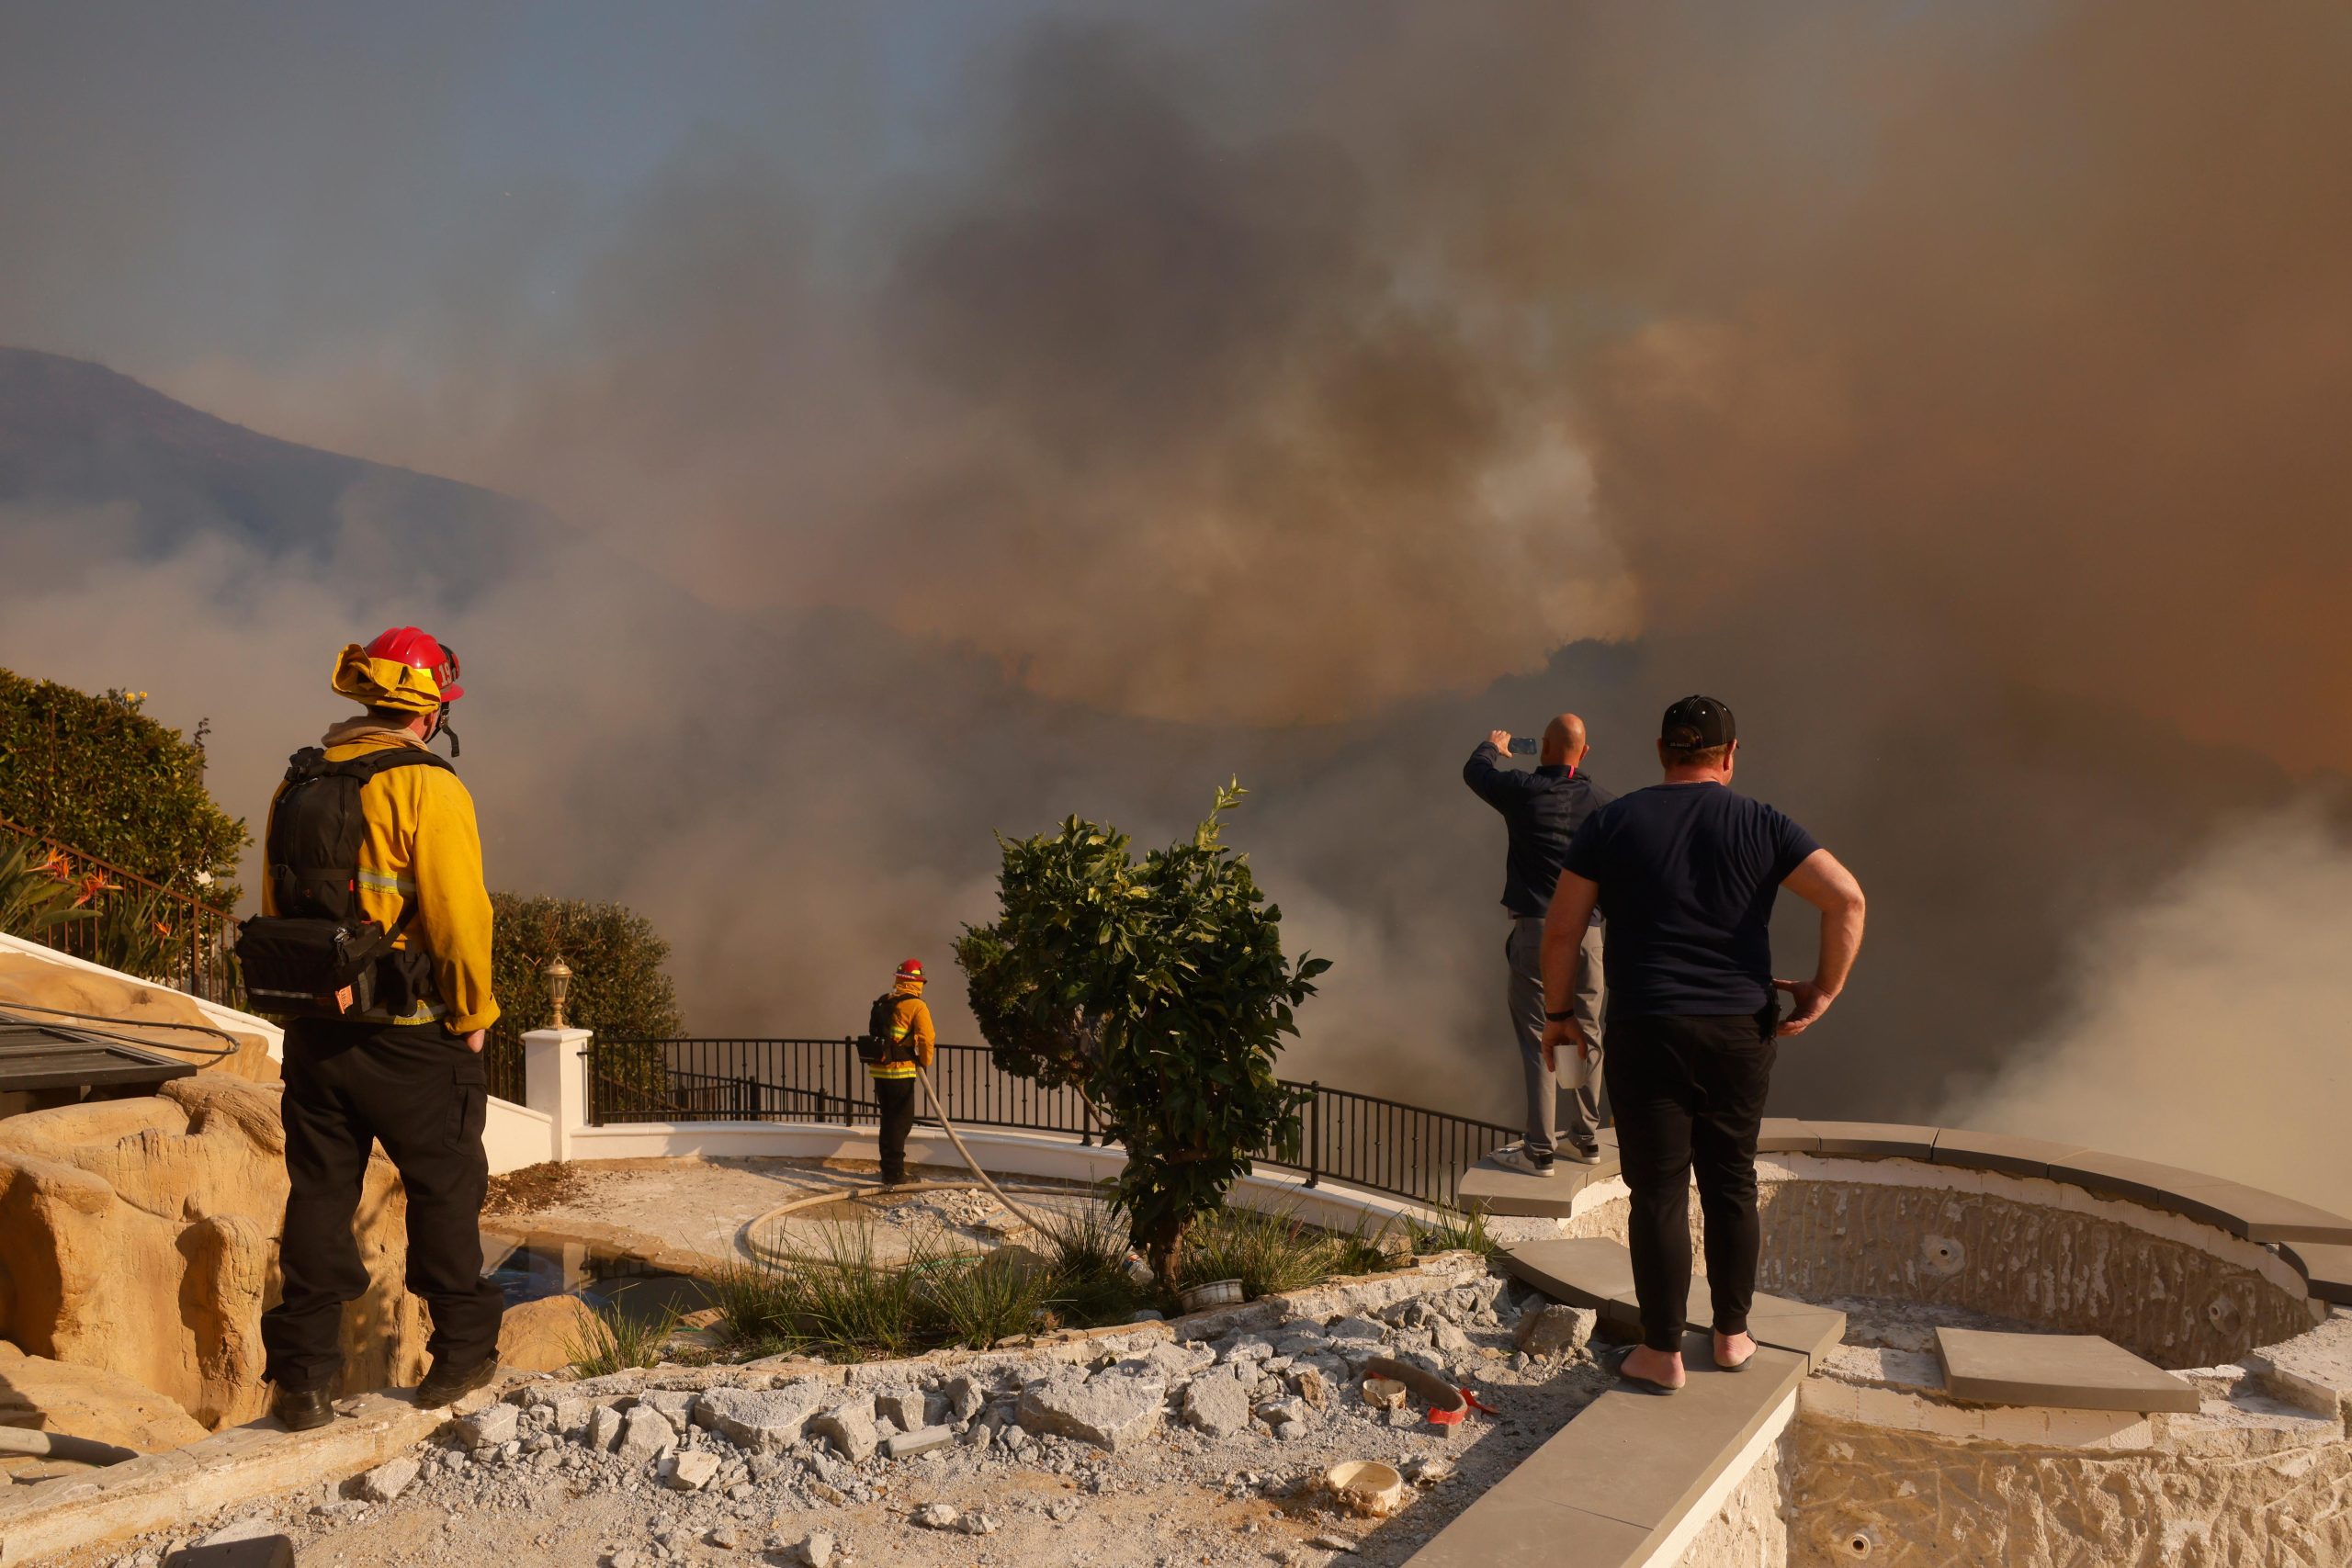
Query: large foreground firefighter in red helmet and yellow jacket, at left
pixel 375 836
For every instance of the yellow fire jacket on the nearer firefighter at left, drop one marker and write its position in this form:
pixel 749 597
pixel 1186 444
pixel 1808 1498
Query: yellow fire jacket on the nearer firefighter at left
pixel 422 843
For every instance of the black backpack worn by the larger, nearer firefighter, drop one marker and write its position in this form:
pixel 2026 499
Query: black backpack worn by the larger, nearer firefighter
pixel 319 956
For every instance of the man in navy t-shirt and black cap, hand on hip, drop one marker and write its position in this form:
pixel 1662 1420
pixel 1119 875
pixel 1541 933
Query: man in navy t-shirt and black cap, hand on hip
pixel 1685 876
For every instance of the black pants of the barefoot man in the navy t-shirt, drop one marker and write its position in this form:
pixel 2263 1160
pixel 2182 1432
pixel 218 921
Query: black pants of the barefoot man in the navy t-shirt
pixel 1690 1092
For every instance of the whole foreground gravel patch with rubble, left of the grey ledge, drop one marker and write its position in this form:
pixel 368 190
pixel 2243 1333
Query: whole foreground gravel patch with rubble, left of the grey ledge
pixel 1147 1456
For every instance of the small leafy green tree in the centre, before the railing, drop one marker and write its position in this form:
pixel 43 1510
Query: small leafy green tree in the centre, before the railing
pixel 1163 991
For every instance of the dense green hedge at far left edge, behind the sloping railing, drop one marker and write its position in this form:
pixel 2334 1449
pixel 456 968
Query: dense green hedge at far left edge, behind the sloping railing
pixel 102 777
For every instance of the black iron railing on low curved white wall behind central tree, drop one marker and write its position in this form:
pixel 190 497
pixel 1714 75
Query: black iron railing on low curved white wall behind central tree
pixel 1365 1141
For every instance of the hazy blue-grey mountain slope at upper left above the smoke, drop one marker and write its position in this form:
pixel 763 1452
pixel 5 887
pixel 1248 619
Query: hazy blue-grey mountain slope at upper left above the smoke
pixel 81 436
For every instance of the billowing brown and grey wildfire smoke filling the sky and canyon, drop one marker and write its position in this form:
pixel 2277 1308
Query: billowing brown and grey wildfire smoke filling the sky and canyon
pixel 942 431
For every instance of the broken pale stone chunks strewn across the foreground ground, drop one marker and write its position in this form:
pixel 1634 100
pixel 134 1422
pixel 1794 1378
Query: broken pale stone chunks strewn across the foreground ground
pixel 773 1440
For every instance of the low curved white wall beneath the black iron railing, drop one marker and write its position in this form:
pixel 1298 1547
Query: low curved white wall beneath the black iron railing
pixel 1001 1153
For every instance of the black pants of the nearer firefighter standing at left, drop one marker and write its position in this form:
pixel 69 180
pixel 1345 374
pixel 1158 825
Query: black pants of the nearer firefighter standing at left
pixel 422 1097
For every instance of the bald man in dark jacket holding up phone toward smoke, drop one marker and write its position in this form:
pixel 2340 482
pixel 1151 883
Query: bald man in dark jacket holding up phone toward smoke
pixel 1542 810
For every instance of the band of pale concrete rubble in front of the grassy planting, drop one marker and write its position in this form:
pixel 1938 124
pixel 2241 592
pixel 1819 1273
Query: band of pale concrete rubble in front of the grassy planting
pixel 737 1447
